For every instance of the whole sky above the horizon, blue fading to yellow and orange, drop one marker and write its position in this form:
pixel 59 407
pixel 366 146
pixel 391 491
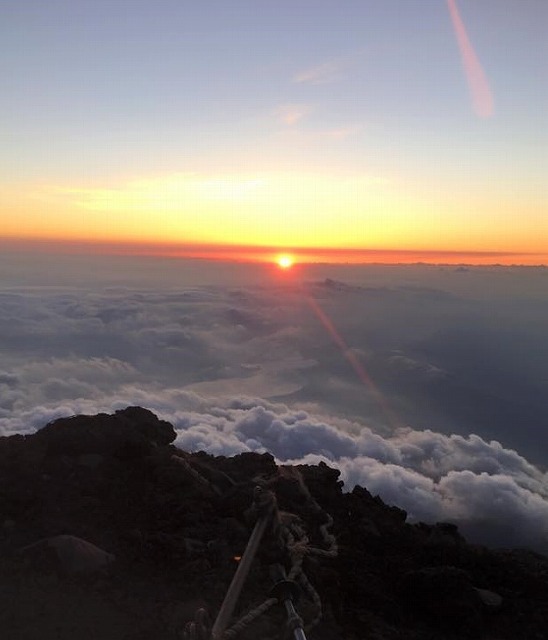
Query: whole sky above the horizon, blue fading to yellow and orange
pixel 359 131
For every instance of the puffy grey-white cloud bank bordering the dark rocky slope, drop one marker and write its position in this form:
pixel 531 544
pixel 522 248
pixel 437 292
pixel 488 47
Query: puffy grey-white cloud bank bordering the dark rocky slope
pixel 495 495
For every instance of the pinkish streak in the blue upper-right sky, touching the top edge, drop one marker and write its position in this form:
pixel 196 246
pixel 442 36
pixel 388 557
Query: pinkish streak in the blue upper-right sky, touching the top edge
pixel 479 87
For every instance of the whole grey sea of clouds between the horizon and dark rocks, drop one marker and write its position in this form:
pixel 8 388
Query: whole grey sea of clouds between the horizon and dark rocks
pixel 448 422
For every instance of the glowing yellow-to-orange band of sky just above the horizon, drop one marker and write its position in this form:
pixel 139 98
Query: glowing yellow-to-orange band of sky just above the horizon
pixel 331 217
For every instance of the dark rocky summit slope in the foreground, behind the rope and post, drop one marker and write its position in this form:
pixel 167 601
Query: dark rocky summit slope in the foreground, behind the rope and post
pixel 108 531
